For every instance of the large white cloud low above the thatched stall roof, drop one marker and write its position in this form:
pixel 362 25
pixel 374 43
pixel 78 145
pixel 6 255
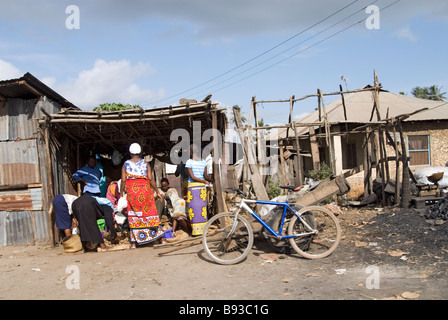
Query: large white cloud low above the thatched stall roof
pixel 113 81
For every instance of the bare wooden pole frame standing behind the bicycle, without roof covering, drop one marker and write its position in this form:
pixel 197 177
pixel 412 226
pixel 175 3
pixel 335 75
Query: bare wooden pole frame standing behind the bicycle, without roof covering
pixel 377 138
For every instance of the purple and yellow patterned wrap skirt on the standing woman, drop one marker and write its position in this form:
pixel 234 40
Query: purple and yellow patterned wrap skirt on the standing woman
pixel 197 206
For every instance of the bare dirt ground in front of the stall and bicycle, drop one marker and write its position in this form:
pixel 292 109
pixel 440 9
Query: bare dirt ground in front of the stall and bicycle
pixel 384 254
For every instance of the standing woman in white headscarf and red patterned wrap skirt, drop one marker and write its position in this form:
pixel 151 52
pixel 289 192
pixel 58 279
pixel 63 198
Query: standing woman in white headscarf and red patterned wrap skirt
pixel 136 181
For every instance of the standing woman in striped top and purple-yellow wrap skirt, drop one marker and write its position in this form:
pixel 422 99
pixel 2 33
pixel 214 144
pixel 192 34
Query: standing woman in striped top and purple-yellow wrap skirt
pixel 197 191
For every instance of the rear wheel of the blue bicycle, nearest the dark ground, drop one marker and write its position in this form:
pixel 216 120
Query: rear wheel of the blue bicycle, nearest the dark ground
pixel 326 237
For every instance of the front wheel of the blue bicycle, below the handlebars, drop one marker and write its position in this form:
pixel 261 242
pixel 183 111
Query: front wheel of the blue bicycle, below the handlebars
pixel 226 239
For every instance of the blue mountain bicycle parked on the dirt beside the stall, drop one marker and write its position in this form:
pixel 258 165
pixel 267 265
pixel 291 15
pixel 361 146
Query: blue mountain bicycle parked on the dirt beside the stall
pixel 313 232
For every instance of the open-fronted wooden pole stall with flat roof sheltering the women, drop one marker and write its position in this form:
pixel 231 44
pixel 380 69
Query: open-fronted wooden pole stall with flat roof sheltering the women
pixel 72 133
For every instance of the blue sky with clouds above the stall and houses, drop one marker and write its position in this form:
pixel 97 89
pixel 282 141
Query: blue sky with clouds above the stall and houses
pixel 153 53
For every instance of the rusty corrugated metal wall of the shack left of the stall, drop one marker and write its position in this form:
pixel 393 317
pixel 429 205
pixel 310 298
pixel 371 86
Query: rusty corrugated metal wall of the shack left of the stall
pixel 23 162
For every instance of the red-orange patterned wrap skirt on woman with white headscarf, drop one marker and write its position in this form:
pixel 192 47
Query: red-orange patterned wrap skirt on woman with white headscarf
pixel 144 222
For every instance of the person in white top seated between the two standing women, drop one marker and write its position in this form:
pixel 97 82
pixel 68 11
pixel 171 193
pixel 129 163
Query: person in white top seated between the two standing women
pixel 176 206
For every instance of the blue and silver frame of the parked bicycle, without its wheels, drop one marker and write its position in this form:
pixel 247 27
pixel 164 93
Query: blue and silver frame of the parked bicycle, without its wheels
pixel 243 205
